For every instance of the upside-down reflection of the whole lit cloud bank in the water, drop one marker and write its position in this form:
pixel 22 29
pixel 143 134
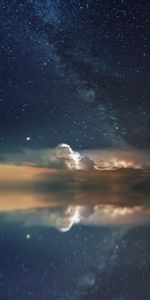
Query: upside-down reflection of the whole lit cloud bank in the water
pixel 63 218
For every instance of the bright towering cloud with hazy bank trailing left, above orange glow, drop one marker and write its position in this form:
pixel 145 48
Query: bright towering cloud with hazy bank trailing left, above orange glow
pixel 61 157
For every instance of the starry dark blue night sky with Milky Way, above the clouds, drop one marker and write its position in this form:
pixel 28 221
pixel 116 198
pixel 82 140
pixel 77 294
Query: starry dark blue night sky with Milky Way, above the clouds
pixel 74 72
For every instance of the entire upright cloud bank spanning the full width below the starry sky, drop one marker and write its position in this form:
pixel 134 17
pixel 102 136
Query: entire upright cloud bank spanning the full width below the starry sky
pixel 64 157
